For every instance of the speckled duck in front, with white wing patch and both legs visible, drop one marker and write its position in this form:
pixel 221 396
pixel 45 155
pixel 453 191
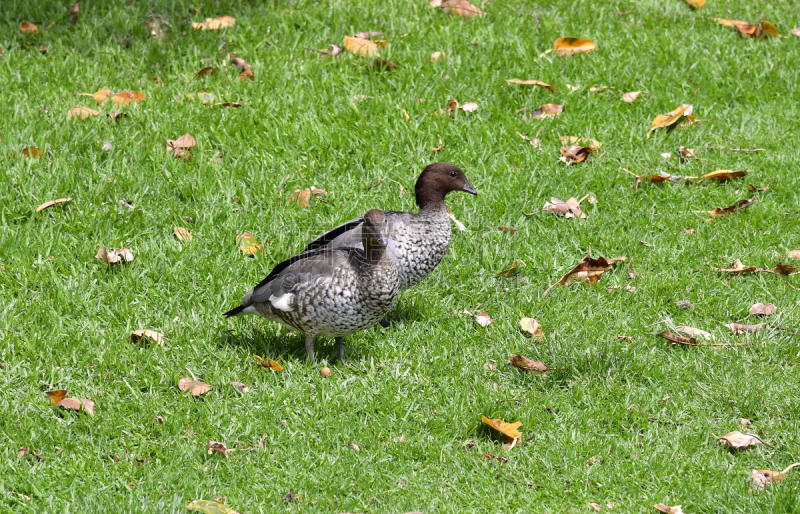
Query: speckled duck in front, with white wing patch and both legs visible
pixel 334 292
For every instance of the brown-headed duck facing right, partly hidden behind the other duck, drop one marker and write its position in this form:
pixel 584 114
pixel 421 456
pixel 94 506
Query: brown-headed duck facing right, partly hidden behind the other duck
pixel 417 242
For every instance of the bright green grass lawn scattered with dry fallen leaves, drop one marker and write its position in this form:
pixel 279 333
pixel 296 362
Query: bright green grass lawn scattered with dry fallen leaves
pixel 645 411
